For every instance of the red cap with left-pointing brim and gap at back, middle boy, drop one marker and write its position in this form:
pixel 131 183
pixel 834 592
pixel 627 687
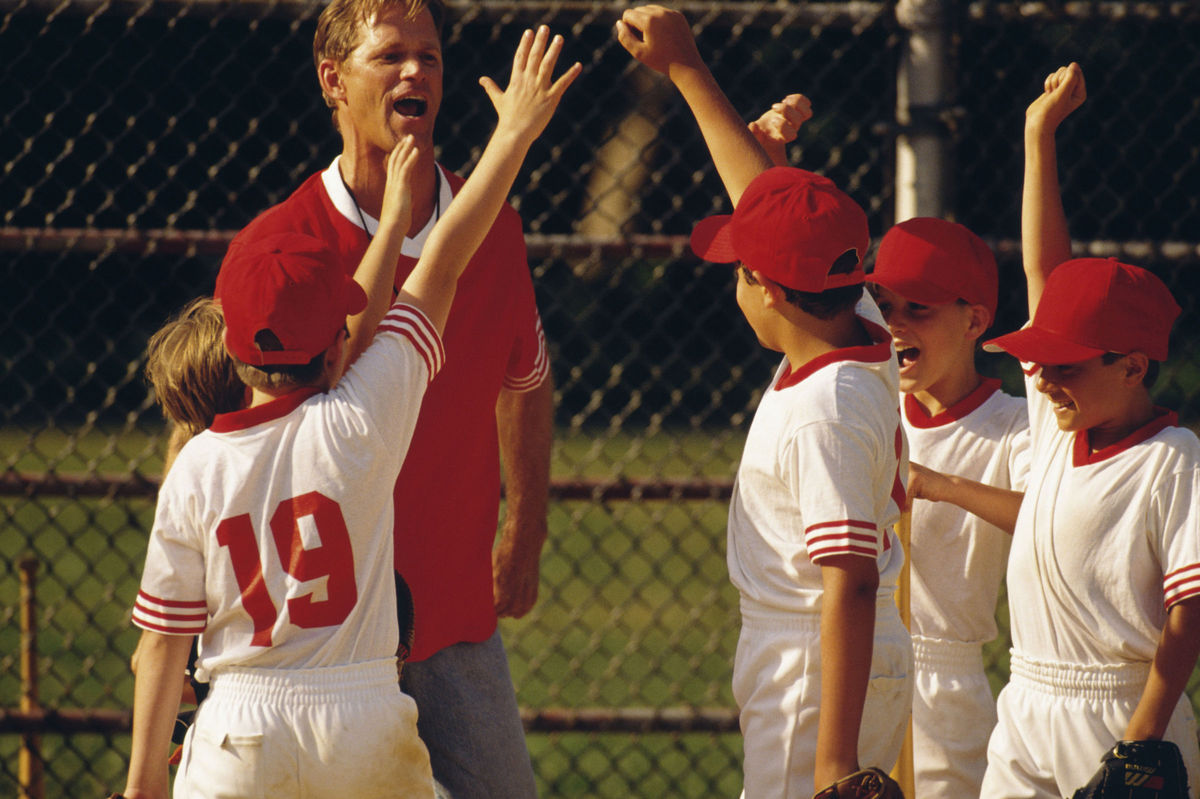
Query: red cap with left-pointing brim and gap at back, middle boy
pixel 791 226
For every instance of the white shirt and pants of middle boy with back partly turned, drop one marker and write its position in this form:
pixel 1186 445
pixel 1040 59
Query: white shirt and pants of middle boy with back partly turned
pixel 820 477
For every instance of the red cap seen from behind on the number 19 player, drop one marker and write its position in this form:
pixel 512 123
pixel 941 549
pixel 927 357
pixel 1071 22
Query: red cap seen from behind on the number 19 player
pixel 286 284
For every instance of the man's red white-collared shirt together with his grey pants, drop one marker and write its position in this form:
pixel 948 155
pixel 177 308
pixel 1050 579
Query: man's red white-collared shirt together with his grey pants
pixel 447 500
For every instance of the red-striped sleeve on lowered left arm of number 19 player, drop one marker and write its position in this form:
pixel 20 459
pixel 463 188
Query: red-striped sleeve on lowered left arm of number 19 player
pixel 171 598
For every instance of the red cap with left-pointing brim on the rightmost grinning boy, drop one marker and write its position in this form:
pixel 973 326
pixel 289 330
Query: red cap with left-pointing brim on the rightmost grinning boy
pixel 1093 307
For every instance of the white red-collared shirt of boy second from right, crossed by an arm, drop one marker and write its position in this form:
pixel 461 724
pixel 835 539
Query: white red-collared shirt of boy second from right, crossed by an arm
pixel 958 560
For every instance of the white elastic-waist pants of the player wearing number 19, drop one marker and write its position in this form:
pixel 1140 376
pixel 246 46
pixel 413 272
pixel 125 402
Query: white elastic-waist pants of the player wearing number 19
pixel 344 731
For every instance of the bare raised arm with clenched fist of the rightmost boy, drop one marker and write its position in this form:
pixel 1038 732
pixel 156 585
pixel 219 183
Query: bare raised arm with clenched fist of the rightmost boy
pixel 1046 241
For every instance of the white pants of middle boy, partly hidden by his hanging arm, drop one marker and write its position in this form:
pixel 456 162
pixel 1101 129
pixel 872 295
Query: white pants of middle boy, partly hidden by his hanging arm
pixel 777 684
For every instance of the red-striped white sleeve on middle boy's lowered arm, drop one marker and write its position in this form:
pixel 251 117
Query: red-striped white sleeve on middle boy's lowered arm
pixel 835 470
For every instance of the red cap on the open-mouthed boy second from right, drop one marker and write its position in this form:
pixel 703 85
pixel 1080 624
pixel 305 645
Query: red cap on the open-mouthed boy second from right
pixel 934 262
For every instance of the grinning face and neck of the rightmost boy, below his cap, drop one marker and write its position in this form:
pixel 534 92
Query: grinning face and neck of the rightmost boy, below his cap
pixel 1108 400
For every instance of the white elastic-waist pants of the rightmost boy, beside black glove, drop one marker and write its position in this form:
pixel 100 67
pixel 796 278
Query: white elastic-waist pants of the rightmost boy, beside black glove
pixel 1058 720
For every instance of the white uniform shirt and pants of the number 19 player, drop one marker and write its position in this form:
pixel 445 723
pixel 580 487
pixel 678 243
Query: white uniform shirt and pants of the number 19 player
pixel 272 542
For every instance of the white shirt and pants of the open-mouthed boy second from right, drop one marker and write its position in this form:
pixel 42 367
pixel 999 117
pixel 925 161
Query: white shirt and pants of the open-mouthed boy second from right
pixel 958 562
